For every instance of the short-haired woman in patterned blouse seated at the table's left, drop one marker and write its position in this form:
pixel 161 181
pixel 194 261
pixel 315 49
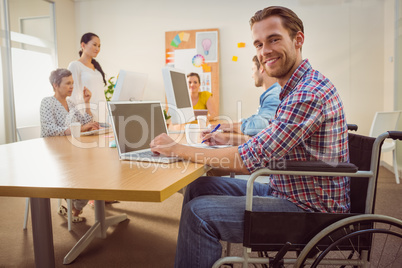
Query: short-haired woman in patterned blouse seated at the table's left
pixel 56 114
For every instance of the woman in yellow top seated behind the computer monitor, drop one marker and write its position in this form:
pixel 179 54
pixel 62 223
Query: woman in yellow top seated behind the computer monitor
pixel 200 100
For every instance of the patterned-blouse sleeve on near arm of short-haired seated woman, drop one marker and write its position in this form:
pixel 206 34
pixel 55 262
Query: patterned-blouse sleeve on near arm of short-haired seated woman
pixel 48 121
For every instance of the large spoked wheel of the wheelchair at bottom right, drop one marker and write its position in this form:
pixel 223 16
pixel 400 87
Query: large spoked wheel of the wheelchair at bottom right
pixel 359 241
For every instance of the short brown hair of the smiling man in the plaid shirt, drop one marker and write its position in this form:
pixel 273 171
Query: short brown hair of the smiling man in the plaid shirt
pixel 289 19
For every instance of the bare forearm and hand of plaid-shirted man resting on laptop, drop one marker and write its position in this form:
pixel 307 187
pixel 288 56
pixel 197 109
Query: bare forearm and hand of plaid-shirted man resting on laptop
pixel 225 158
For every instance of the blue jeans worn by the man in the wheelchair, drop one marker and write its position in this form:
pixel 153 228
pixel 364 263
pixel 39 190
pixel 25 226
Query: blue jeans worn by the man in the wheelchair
pixel 213 210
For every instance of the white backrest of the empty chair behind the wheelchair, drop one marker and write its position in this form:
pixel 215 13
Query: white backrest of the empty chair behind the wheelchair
pixel 384 121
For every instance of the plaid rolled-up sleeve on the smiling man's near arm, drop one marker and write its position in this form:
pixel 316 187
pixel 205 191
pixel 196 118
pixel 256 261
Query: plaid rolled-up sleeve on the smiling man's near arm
pixel 298 118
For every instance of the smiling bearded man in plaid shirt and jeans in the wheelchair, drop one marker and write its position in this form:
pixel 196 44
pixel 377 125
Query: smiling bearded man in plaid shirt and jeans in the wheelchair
pixel 309 124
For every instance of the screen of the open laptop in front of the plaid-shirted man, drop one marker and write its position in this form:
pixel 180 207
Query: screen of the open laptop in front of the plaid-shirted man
pixel 136 124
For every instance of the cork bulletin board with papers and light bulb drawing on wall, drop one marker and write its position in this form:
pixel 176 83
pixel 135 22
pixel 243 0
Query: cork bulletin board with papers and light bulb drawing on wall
pixel 196 51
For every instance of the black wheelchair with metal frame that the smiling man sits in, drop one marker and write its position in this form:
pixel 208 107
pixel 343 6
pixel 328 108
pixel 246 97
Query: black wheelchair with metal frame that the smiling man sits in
pixel 313 239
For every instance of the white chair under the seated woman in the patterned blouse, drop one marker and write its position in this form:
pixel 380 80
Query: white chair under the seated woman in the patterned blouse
pixel 29 133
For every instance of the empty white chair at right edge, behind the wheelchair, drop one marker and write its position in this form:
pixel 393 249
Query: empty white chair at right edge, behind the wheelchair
pixel 385 121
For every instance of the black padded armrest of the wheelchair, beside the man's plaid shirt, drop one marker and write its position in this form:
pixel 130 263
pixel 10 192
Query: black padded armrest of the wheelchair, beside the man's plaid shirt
pixel 319 166
